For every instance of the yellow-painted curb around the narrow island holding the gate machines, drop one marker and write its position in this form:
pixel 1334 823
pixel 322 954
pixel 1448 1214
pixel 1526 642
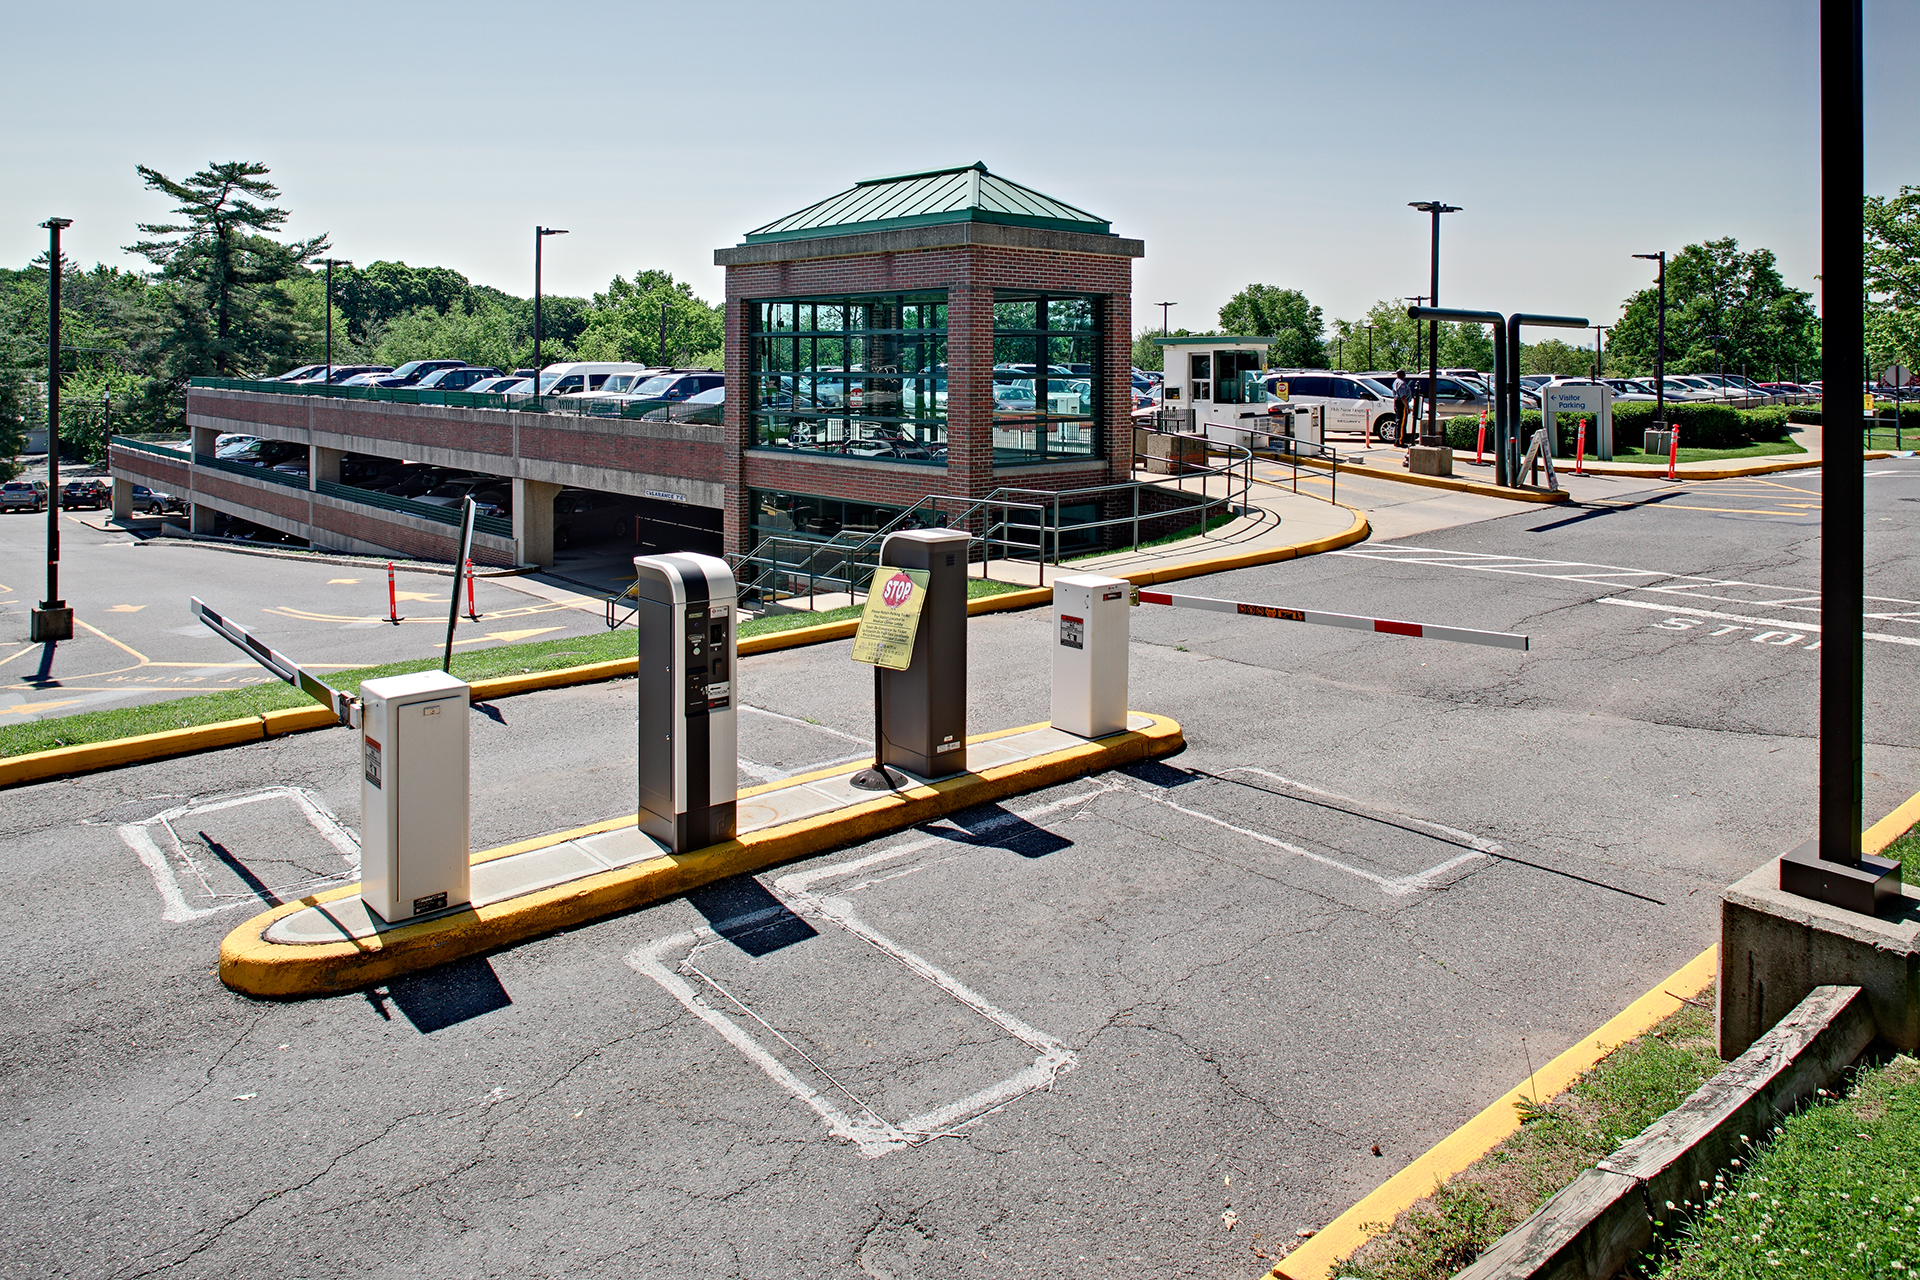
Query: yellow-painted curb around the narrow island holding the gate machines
pixel 268 970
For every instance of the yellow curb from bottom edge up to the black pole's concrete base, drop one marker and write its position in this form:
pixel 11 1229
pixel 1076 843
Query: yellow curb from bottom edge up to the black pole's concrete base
pixel 1333 1244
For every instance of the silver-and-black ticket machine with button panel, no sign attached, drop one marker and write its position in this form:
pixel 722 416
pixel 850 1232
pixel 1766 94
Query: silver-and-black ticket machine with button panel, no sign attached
pixel 688 742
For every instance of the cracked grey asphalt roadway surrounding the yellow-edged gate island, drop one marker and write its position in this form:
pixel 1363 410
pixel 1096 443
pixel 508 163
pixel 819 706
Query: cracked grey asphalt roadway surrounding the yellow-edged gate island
pixel 1161 1018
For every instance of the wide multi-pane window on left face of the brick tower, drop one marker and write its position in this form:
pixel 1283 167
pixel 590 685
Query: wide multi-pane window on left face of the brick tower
pixel 859 377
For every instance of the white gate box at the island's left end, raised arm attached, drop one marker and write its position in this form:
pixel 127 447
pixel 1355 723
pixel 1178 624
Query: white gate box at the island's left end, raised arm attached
pixel 414 795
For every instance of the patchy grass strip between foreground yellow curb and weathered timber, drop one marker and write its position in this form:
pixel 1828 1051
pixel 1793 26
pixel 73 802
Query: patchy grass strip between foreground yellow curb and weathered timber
pixel 1558 1141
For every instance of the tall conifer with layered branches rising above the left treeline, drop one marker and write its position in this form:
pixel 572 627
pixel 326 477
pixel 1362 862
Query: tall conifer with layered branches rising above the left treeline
pixel 226 270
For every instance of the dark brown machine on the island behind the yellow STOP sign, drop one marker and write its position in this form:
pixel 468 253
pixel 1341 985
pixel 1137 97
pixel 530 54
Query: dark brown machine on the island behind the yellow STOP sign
pixel 923 711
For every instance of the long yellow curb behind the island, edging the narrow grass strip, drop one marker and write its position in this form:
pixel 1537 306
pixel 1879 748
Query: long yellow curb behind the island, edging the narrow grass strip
pixel 64 761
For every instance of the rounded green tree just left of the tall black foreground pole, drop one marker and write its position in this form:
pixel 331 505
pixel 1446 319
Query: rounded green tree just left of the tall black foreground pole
pixel 1714 289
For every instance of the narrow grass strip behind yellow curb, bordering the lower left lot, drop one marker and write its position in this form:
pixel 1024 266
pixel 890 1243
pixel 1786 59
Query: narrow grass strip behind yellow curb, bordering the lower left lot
pixel 469 665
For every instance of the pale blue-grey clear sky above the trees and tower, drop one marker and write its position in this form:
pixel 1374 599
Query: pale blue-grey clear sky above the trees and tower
pixel 1243 143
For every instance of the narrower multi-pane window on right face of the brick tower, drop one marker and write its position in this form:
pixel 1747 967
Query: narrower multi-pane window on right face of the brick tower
pixel 1045 377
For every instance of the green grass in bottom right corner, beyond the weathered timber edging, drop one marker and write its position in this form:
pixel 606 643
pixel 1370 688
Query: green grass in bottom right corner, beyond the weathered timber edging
pixel 1833 1193
